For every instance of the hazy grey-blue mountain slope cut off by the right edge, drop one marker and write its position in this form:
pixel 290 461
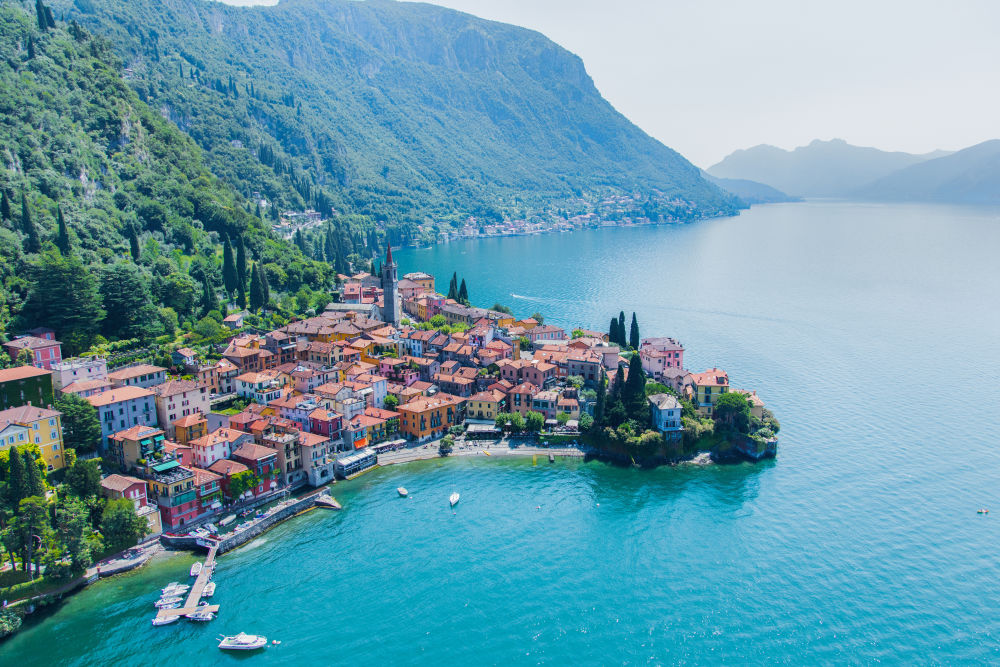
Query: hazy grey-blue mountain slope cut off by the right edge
pixel 968 176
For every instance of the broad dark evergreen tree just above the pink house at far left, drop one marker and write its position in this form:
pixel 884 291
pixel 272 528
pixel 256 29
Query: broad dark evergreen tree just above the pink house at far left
pixel 65 297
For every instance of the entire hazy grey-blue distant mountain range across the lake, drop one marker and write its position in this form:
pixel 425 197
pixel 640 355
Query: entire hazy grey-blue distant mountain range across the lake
pixel 839 170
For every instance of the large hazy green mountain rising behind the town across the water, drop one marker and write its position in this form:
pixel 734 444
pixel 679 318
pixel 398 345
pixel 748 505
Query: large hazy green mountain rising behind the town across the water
pixel 403 112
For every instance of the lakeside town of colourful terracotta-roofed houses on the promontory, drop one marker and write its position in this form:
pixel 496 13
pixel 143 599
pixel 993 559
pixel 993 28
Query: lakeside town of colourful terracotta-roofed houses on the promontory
pixel 393 372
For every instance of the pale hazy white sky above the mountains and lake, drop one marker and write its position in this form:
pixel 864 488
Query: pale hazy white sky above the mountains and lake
pixel 710 76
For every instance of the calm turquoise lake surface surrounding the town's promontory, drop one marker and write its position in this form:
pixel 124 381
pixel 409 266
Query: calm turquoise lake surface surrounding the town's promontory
pixel 871 331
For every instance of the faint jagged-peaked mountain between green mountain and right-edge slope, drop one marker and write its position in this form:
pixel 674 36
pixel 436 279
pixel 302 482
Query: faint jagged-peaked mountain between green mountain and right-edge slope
pixel 821 169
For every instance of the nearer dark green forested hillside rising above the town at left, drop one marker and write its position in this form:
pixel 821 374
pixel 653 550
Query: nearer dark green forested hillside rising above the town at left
pixel 111 223
